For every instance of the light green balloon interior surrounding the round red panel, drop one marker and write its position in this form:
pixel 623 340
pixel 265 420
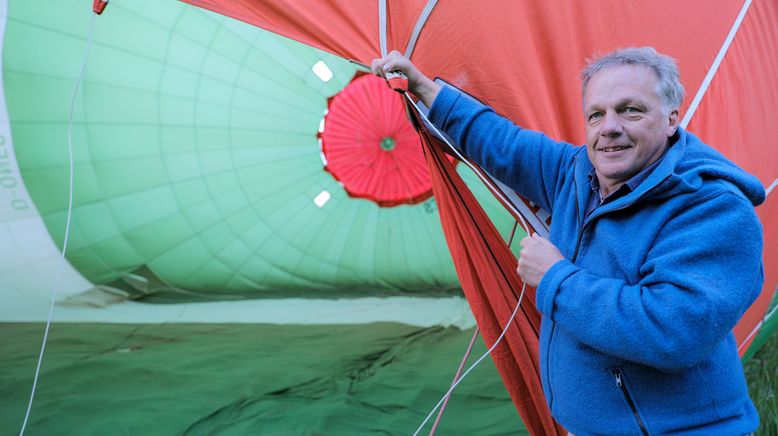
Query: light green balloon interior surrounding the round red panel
pixel 197 162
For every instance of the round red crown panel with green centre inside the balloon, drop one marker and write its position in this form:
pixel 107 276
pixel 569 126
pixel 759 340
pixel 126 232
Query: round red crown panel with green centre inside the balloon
pixel 370 146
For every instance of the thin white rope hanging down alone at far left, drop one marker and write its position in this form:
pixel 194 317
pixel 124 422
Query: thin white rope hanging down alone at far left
pixel 58 275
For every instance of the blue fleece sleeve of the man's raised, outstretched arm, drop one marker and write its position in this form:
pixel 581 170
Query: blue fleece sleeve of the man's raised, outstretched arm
pixel 527 161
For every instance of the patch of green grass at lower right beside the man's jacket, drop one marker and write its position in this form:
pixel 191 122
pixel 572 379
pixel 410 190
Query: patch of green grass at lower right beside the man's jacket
pixel 762 376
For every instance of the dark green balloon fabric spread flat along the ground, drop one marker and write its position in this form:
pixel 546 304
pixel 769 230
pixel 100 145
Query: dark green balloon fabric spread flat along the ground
pixel 174 379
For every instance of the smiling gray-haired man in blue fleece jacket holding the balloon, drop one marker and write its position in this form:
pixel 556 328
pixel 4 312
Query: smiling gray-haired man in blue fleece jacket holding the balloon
pixel 654 251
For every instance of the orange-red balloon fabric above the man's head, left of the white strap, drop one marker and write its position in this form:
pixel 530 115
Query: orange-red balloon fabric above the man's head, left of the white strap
pixel 505 52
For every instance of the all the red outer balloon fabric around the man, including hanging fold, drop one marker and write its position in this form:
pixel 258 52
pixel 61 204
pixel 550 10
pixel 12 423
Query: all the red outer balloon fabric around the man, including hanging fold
pixel 522 58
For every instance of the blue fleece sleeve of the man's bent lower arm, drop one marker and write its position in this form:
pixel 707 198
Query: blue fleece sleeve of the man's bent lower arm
pixel 699 277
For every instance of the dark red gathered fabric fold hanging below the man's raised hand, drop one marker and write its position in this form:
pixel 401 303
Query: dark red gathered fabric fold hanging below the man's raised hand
pixel 487 270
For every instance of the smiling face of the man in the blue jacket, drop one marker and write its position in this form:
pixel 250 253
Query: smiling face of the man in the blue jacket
pixel 626 128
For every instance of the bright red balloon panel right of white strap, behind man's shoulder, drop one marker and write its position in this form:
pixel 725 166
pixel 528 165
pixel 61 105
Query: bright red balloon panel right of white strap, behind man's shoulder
pixel 737 117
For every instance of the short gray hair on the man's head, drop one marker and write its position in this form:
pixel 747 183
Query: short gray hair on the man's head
pixel 668 87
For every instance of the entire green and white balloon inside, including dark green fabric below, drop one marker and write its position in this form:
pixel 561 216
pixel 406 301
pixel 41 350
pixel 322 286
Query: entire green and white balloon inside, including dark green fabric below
pixel 198 176
